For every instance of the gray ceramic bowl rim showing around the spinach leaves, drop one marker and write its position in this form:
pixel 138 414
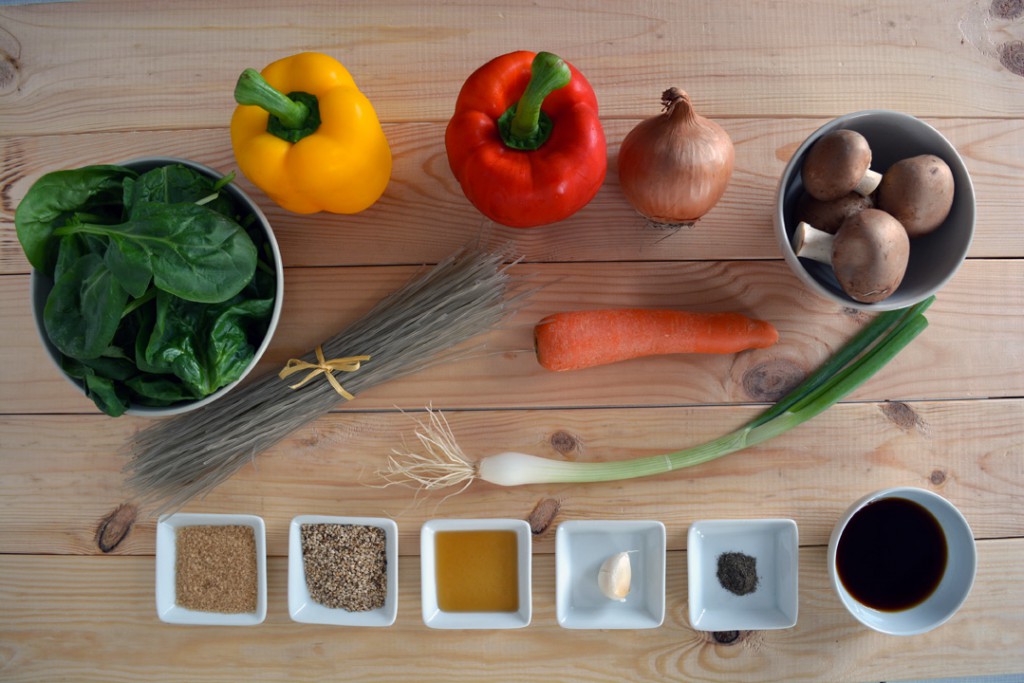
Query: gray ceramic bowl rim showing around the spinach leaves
pixel 40 285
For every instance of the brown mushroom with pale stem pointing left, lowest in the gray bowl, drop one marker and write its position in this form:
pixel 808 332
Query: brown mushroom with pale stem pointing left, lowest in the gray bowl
pixel 869 254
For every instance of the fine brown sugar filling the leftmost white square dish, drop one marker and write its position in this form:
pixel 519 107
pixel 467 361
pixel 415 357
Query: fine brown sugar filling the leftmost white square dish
pixel 216 569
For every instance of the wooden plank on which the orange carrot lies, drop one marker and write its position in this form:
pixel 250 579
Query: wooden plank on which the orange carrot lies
pixel 972 349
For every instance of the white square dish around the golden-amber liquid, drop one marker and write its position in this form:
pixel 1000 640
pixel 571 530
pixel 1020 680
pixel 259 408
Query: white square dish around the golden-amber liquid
pixel 435 617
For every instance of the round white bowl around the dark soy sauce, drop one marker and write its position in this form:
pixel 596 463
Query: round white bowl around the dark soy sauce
pixel 953 589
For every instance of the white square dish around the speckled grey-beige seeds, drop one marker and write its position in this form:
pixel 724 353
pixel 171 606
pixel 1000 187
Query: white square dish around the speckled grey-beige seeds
pixel 304 609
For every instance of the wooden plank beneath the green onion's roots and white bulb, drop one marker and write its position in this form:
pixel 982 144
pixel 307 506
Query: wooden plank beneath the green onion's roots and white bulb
pixel 63 478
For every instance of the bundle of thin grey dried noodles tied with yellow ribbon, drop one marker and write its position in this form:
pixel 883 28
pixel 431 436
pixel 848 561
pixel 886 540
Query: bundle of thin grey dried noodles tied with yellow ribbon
pixel 420 325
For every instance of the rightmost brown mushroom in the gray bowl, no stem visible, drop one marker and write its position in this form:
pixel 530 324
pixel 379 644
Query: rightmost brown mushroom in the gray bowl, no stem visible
pixel 919 193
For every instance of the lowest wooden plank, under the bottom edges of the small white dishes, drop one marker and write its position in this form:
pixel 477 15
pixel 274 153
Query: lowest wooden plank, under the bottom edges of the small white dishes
pixel 51 634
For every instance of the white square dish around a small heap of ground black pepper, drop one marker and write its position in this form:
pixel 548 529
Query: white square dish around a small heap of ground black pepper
pixel 773 604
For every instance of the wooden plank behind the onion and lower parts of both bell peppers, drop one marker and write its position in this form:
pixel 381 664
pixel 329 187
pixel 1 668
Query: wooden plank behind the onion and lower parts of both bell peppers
pixel 424 216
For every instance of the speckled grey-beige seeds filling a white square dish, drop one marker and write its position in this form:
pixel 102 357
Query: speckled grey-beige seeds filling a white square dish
pixel 346 566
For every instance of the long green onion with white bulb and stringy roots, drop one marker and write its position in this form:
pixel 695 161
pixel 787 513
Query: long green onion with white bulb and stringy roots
pixel 880 341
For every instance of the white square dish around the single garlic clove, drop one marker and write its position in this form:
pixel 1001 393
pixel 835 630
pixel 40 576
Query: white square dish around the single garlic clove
pixel 581 549
